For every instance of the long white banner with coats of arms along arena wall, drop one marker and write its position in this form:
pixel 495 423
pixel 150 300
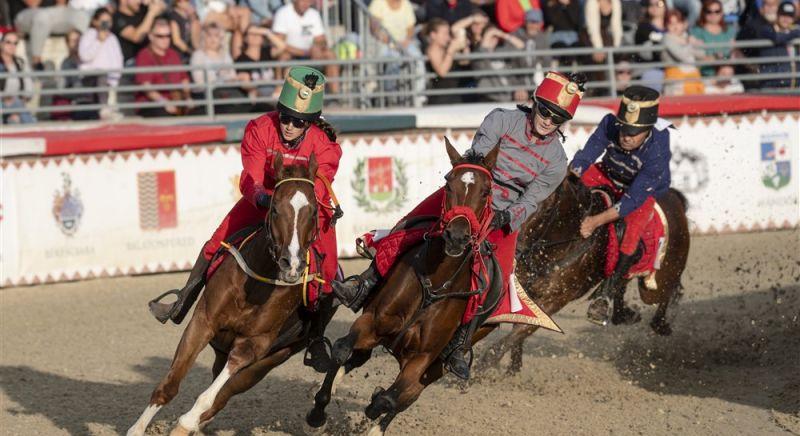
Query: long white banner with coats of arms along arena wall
pixel 127 213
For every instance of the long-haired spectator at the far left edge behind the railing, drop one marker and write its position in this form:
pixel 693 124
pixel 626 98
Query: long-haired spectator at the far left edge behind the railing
pixel 14 85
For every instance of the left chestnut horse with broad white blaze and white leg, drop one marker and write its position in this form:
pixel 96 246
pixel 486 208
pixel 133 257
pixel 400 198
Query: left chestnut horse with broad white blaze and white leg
pixel 252 325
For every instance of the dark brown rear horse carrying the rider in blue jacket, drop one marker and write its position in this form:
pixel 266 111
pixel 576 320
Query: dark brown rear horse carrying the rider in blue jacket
pixel 556 266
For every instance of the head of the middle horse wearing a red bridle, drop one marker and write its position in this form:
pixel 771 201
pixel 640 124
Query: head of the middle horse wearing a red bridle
pixel 468 198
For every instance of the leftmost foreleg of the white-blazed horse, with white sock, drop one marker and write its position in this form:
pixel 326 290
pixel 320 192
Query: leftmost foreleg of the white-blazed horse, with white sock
pixel 196 336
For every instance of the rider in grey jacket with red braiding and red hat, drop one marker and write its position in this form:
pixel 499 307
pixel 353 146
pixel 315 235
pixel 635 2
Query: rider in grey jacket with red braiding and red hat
pixel 530 166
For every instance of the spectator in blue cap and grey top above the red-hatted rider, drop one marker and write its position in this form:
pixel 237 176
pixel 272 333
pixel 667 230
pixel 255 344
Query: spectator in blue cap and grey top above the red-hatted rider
pixel 535 38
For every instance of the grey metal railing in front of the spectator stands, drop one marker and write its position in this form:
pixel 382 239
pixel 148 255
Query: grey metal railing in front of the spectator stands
pixel 375 82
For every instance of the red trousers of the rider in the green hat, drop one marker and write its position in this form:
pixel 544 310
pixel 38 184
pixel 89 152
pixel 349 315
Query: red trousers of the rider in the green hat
pixel 244 214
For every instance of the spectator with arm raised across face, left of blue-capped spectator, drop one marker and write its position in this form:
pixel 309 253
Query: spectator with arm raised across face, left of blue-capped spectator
pixel 494 40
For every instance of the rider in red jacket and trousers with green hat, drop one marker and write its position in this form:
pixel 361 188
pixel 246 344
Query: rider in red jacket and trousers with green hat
pixel 296 131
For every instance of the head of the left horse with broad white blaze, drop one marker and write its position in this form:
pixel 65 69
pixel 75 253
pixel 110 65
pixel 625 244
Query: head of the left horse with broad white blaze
pixel 292 218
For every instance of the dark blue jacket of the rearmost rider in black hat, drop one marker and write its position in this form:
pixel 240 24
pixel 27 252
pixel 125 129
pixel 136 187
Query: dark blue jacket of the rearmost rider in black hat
pixel 640 173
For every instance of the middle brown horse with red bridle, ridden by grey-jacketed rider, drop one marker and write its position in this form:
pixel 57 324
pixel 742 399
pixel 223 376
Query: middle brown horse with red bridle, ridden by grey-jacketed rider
pixel 396 314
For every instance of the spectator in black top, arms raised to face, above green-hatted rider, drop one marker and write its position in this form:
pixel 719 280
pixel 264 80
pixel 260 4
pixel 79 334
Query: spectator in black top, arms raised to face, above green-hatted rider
pixel 260 45
